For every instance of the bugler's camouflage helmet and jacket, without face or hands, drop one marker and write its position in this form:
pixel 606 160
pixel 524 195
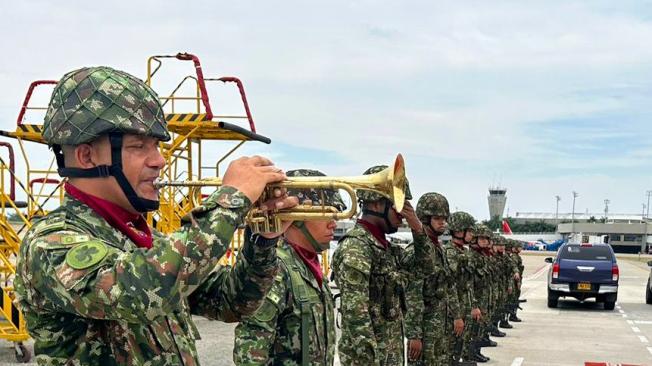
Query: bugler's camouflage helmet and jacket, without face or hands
pixel 90 296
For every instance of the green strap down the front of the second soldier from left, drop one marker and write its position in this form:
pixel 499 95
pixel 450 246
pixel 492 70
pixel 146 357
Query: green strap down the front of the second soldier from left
pixel 300 291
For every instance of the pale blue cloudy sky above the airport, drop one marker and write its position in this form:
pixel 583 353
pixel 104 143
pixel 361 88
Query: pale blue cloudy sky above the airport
pixel 542 98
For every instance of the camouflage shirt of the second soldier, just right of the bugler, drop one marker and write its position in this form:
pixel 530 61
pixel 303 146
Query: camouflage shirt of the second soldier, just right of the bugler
pixel 296 307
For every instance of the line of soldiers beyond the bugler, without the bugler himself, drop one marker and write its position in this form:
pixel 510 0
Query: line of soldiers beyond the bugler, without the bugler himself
pixel 445 299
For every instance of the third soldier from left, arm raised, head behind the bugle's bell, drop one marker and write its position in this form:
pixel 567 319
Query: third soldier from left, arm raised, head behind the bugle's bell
pixel 368 272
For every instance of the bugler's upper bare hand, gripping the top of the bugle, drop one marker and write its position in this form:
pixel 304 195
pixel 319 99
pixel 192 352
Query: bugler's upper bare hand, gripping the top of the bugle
pixel 250 175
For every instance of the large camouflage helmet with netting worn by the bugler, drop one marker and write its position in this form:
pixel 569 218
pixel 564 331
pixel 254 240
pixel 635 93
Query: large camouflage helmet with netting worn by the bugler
pixel 94 101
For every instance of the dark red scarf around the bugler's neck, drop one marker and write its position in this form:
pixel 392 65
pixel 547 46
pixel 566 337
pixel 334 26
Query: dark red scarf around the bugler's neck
pixel 132 225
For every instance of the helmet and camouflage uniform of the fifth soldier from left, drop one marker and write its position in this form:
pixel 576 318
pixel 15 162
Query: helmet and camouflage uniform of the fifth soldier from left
pixel 459 260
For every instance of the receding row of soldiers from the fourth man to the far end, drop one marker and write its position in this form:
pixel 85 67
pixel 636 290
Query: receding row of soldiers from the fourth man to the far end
pixel 474 291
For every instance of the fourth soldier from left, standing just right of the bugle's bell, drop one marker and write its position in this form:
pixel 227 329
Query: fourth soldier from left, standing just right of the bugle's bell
pixel 431 302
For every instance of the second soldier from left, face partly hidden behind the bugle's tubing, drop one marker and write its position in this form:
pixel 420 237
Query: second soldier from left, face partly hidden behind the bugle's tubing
pixel 295 325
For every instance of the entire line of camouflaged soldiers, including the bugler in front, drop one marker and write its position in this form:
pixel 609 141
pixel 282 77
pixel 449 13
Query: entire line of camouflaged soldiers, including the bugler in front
pixel 98 286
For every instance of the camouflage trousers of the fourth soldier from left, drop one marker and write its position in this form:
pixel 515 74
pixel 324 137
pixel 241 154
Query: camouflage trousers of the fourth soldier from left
pixel 436 338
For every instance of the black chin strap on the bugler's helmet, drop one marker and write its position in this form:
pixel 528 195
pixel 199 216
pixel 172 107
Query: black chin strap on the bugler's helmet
pixel 139 204
